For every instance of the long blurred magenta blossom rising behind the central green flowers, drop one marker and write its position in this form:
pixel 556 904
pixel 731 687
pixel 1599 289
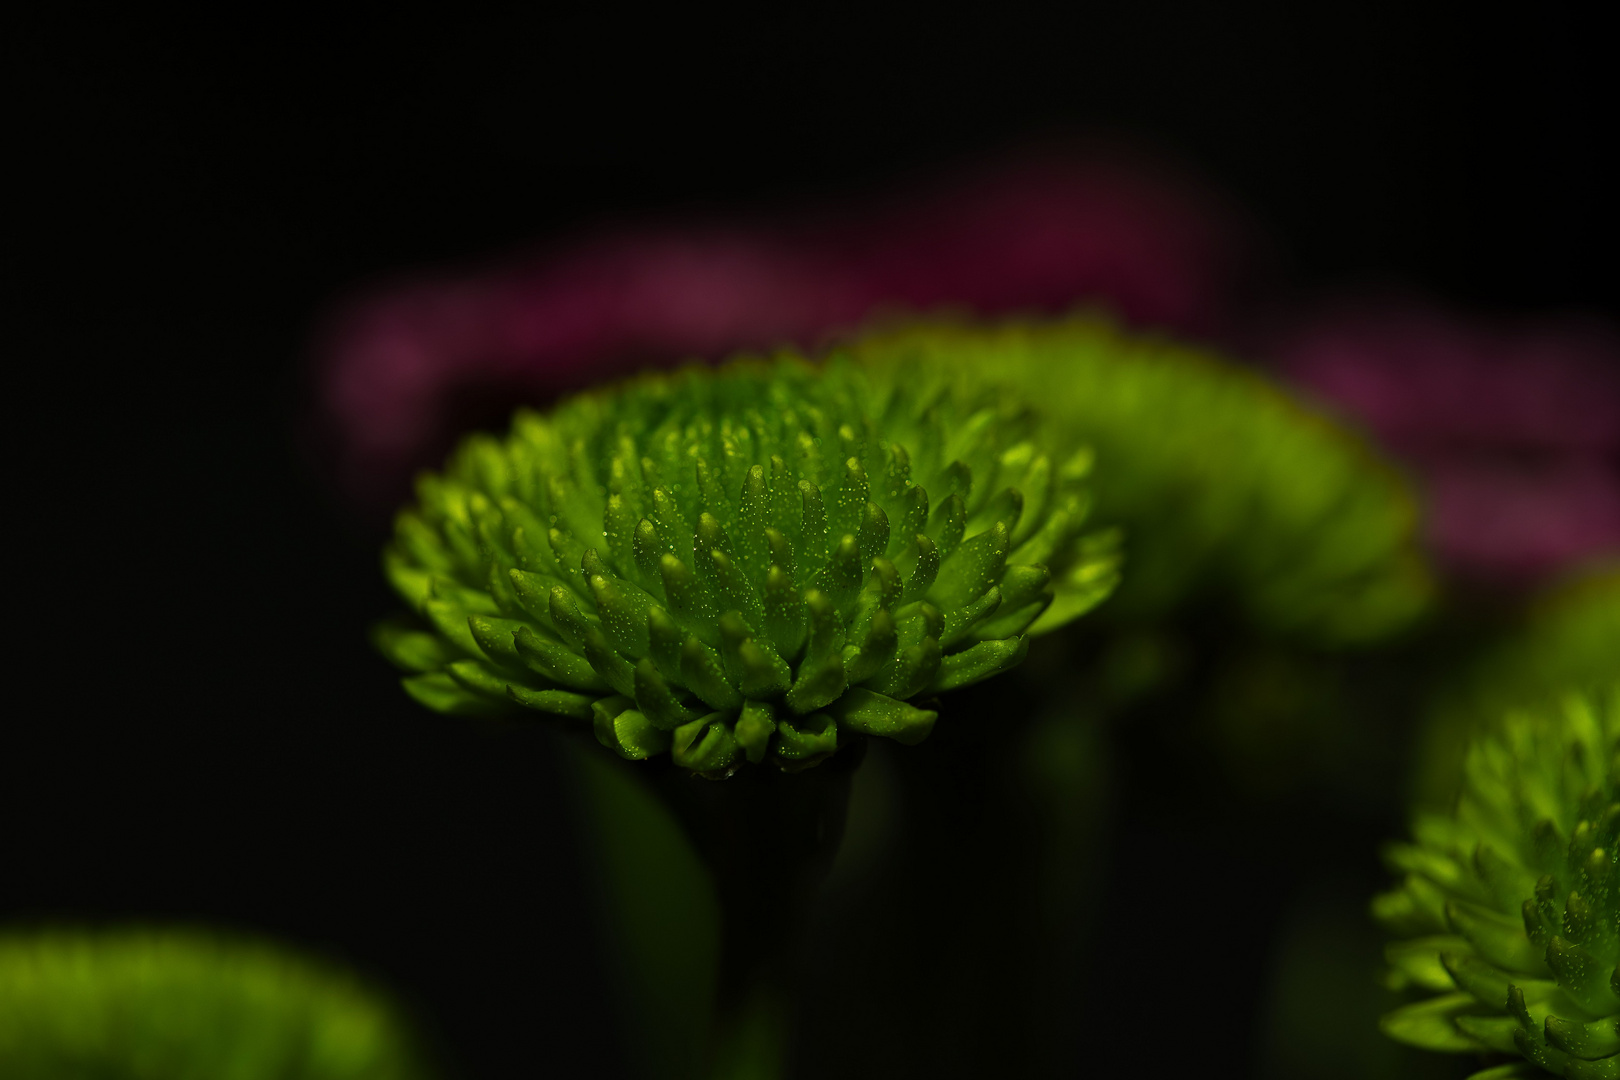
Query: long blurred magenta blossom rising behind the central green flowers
pixel 398 368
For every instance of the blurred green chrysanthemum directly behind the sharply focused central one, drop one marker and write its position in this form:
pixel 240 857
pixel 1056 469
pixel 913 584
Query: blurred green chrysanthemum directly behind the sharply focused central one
pixel 1221 480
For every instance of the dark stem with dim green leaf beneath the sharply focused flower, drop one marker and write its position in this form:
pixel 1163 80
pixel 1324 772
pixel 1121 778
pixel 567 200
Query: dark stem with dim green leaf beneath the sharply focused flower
pixel 707 891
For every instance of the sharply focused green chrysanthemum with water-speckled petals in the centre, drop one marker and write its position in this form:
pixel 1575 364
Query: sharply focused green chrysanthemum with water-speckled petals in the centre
pixel 743 563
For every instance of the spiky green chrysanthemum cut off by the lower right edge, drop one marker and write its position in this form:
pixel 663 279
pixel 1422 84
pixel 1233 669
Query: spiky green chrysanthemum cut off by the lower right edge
pixel 1514 903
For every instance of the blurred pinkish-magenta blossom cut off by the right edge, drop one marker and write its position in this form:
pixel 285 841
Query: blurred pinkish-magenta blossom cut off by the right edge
pixel 1512 432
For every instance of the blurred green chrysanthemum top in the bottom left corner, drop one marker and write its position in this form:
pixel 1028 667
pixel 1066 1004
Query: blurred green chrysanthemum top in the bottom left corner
pixel 187 1006
